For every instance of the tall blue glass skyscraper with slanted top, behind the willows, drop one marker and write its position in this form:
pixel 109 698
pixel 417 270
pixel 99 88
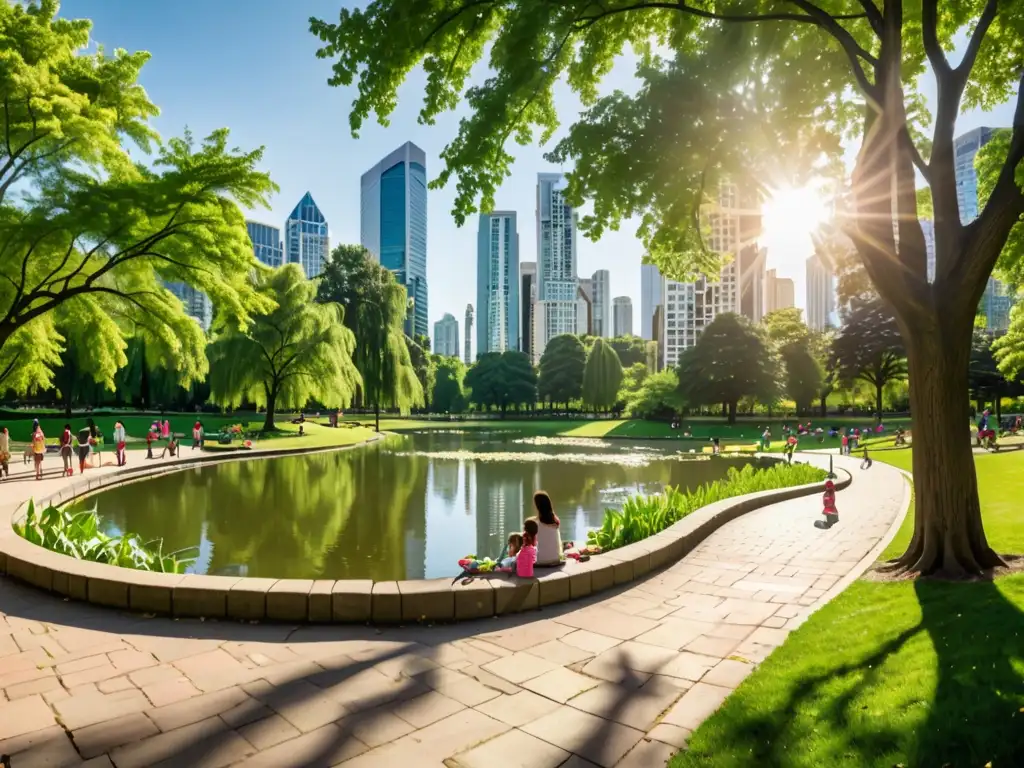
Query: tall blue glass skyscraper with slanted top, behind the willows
pixel 394 224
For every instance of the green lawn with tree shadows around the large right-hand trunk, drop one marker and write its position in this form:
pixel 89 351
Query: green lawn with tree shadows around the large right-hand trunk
pixel 893 674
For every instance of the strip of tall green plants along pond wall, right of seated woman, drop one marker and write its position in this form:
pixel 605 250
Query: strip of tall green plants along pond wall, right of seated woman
pixel 643 517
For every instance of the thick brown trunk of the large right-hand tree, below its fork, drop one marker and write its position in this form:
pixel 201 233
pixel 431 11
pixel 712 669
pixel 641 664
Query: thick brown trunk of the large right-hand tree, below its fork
pixel 949 538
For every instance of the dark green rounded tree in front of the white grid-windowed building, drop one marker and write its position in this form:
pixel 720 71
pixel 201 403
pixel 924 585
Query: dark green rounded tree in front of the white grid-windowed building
pixel 731 361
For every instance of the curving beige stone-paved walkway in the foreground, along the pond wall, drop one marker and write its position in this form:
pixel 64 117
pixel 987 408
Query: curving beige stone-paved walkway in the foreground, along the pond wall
pixel 619 680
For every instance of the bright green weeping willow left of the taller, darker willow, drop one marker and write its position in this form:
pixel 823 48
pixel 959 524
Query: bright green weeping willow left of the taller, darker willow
pixel 300 352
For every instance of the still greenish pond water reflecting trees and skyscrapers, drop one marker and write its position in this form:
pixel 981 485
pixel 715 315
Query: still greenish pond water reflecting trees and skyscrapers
pixel 407 507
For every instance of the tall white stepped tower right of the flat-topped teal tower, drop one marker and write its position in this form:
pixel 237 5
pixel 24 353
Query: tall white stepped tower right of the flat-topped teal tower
pixel 557 312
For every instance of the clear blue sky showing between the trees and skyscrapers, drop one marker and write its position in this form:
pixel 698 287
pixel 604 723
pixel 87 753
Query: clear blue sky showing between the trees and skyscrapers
pixel 250 65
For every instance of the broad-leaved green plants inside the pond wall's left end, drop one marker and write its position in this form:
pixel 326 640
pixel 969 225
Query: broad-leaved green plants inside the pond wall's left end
pixel 77 535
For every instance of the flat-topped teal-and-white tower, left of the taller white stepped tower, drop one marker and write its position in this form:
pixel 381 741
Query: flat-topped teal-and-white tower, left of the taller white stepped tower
pixel 498 283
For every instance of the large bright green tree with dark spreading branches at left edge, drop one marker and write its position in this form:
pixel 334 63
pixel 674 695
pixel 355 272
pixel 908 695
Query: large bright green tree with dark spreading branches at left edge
pixel 88 234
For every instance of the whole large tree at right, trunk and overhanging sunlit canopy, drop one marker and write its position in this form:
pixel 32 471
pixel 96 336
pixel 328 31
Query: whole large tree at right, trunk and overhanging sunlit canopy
pixel 752 90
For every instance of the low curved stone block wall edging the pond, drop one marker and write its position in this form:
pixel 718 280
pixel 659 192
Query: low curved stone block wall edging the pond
pixel 364 601
